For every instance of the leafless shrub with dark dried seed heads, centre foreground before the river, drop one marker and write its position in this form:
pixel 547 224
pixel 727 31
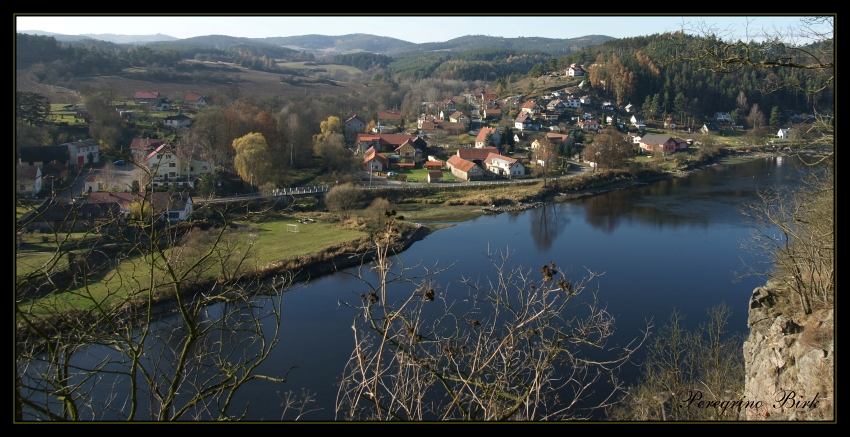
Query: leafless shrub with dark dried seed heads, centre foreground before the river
pixel 524 350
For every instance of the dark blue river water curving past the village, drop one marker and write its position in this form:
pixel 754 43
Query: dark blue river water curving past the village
pixel 668 245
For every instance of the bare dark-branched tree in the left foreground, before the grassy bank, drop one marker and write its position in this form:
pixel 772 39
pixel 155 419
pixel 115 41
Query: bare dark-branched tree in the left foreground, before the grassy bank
pixel 89 345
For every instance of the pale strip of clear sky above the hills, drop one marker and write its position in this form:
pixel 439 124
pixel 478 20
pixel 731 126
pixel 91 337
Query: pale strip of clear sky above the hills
pixel 414 29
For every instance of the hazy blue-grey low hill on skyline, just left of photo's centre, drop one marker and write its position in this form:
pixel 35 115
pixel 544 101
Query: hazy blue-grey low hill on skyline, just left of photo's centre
pixel 341 43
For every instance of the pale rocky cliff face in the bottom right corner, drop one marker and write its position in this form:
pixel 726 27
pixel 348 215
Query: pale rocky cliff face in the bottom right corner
pixel 789 359
